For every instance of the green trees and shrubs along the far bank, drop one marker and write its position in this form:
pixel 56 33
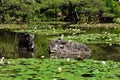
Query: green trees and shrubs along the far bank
pixel 27 11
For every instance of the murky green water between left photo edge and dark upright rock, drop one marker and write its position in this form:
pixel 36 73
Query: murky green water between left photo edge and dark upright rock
pixel 7 44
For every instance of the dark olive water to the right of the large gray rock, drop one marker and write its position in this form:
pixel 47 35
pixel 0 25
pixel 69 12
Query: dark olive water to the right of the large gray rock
pixel 105 51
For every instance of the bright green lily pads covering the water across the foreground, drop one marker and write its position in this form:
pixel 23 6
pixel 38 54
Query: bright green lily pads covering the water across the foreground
pixel 46 69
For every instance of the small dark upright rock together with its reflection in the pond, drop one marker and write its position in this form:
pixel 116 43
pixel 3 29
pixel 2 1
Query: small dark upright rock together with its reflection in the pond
pixel 26 46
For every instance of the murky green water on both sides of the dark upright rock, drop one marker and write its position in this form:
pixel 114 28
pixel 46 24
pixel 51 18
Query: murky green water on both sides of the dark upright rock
pixel 9 44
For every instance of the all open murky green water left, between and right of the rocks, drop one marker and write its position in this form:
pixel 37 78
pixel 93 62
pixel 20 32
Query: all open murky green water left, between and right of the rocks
pixel 9 42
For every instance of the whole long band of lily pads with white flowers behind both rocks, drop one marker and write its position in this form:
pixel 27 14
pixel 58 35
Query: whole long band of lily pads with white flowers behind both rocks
pixel 96 35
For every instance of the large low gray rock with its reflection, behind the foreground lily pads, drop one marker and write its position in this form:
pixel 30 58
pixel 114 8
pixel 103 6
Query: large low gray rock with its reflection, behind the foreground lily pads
pixel 67 49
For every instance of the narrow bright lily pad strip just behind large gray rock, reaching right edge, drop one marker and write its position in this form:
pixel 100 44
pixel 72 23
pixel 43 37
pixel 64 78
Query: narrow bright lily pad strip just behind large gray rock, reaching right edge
pixel 96 38
